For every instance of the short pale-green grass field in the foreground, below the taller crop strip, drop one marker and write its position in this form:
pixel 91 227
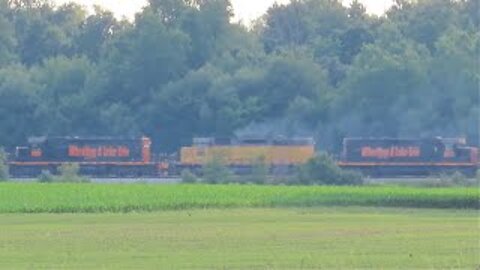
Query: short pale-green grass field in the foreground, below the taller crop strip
pixel 291 238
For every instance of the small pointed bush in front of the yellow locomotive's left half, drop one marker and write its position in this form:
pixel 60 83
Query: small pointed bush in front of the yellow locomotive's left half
pixel 215 171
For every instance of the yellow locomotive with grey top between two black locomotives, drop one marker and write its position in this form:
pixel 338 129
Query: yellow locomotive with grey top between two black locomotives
pixel 245 152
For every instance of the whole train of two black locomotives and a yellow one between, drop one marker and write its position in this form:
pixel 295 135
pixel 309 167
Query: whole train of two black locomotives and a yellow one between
pixel 132 157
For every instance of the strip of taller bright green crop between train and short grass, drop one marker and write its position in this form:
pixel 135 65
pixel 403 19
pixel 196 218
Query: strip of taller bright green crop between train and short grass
pixel 73 198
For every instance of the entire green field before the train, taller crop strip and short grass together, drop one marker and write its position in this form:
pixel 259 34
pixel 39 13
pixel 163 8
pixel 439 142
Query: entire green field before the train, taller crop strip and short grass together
pixel 112 226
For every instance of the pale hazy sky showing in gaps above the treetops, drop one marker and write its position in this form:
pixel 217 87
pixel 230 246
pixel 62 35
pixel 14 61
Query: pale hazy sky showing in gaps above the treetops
pixel 245 10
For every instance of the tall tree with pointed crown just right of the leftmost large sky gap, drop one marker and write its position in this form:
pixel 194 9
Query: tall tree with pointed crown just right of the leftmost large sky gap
pixel 144 57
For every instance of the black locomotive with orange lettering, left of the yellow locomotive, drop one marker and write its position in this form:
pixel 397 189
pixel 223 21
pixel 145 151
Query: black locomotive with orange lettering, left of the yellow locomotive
pixel 99 156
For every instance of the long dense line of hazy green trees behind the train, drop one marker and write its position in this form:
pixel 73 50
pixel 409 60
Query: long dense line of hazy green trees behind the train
pixel 182 68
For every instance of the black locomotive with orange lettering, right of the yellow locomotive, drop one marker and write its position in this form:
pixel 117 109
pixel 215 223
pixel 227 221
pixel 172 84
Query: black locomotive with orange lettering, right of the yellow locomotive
pixel 381 157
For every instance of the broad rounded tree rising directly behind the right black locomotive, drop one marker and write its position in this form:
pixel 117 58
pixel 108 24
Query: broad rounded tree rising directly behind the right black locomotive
pixel 384 86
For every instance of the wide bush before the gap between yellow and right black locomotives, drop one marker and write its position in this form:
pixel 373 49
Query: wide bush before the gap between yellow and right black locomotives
pixel 323 170
